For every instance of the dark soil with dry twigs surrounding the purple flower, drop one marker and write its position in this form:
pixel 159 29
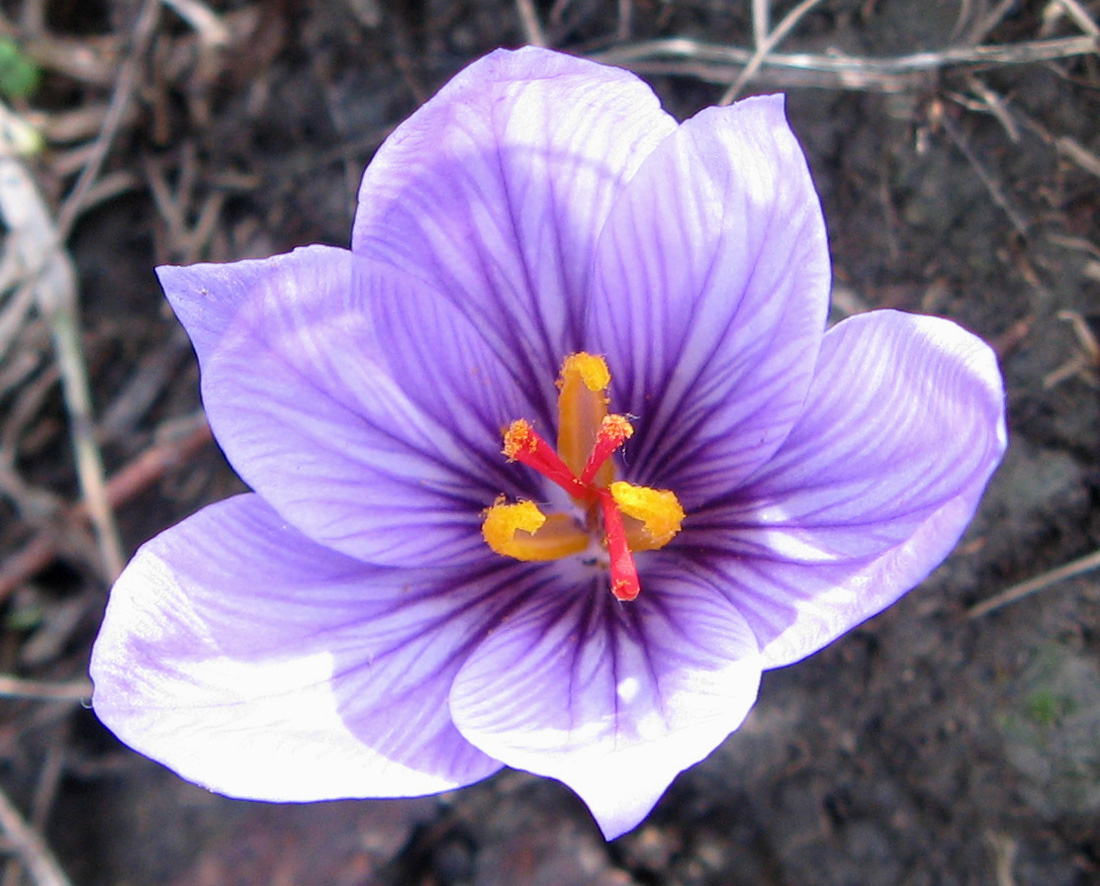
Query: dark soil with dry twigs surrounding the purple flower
pixel 958 154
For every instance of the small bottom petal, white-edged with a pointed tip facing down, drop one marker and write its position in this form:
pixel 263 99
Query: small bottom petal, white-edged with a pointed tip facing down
pixel 612 701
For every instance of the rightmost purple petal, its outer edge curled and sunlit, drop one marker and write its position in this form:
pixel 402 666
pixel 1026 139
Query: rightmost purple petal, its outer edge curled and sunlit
pixel 904 426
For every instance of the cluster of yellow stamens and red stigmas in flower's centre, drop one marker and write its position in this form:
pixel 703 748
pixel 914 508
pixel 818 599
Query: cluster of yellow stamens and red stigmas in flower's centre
pixel 617 518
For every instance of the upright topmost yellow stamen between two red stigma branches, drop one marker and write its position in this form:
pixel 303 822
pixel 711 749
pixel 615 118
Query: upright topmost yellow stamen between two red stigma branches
pixel 582 407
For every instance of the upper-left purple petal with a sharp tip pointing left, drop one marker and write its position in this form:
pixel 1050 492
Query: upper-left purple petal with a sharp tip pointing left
pixel 359 403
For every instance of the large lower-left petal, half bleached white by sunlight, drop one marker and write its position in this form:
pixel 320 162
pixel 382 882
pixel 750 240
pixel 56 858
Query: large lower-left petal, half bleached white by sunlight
pixel 256 663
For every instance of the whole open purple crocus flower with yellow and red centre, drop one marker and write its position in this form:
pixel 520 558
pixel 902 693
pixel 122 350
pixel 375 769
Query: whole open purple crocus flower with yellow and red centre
pixel 697 482
